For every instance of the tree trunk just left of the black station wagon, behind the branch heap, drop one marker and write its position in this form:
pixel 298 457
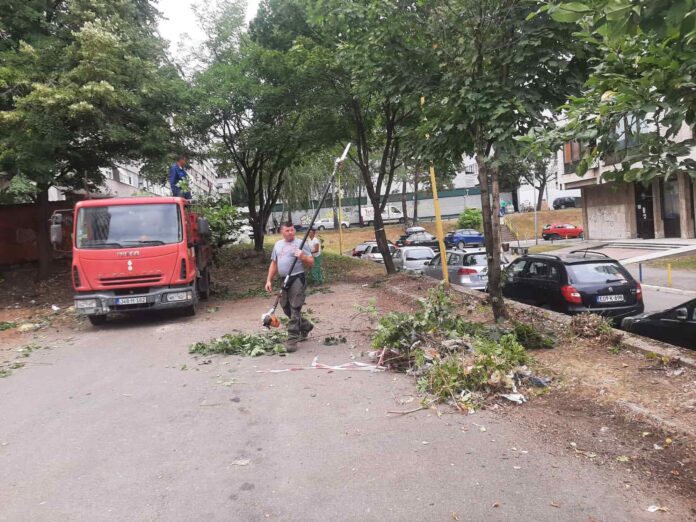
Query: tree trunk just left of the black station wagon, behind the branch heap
pixel 490 206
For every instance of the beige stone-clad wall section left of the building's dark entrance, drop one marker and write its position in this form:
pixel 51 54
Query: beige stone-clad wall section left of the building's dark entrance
pixel 607 211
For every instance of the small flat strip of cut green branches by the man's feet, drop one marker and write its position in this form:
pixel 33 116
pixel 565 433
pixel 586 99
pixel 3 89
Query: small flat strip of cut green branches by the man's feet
pixel 252 345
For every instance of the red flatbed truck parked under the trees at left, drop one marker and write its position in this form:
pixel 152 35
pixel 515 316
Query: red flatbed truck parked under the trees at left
pixel 137 253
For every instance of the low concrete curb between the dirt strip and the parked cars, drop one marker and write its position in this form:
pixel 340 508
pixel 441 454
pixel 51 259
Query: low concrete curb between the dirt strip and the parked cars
pixel 630 341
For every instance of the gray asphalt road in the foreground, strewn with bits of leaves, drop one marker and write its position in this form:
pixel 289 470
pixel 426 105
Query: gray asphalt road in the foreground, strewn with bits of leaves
pixel 122 424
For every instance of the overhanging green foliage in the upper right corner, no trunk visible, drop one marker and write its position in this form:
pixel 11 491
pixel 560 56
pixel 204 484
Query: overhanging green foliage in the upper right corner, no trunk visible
pixel 641 88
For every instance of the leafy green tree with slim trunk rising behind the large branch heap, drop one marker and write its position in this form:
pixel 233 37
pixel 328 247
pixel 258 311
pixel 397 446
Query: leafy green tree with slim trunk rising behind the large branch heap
pixel 499 72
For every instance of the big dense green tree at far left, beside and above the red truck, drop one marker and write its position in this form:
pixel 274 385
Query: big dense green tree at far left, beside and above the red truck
pixel 82 84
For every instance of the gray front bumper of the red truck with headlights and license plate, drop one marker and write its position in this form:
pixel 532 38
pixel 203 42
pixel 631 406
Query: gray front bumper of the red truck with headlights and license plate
pixel 153 298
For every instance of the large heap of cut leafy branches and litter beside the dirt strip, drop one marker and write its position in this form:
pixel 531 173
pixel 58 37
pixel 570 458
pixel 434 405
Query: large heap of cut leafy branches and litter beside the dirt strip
pixel 455 360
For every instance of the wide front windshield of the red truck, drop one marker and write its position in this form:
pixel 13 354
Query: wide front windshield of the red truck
pixel 125 226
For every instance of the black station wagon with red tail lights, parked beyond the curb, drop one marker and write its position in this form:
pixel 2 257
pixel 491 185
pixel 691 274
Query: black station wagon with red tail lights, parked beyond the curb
pixel 581 281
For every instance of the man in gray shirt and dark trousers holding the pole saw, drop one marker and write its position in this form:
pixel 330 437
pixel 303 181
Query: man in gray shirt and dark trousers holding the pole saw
pixel 292 298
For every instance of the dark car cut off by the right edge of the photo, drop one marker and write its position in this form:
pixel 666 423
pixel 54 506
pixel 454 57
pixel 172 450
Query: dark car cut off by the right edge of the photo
pixel 675 326
